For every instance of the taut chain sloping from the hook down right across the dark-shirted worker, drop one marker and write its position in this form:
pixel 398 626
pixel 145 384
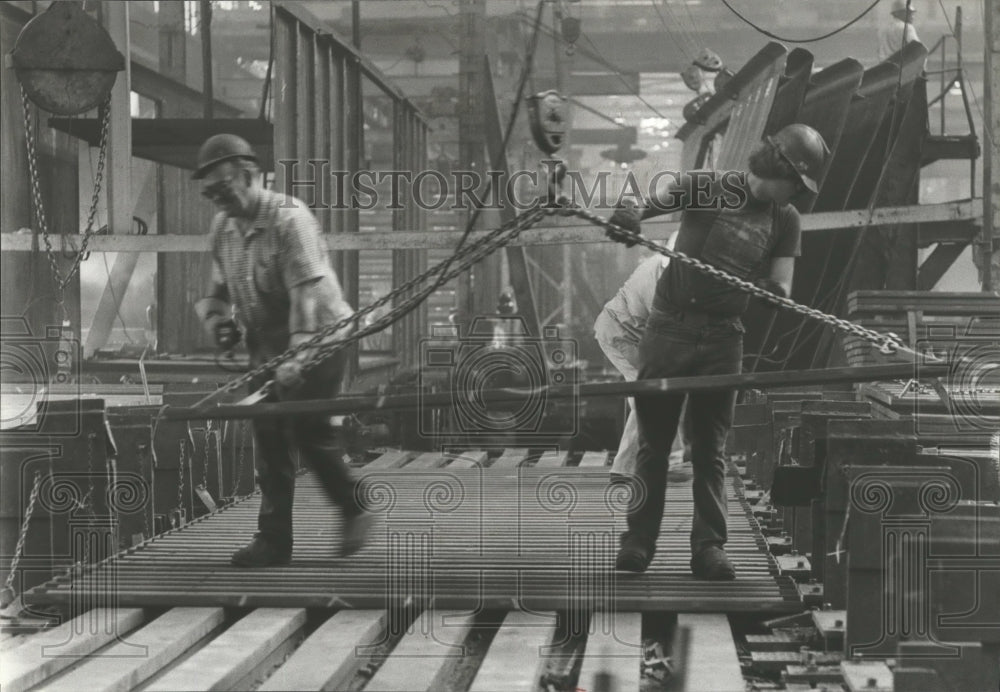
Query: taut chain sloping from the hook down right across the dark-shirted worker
pixel 886 343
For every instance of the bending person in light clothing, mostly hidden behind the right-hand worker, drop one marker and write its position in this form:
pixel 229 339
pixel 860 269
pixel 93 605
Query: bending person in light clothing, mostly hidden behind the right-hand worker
pixel 618 330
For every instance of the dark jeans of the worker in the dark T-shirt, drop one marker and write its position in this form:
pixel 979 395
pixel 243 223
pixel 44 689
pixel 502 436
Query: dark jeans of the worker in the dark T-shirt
pixel 680 344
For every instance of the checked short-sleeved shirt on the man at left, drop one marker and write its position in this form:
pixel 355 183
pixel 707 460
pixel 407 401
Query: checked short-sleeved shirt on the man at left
pixel 281 249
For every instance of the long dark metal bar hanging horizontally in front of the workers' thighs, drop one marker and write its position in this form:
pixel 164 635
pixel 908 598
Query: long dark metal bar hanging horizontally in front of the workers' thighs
pixel 354 404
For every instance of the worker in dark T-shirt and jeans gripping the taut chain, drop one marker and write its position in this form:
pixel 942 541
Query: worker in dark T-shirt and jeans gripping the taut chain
pixel 694 327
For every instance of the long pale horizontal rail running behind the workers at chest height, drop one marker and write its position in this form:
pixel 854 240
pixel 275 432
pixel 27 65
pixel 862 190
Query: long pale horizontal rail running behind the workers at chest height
pixel 926 215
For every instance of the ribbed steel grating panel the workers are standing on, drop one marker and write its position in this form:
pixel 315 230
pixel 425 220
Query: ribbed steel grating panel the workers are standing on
pixel 471 538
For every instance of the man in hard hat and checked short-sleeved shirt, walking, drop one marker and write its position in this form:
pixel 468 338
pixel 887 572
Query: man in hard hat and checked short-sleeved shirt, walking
pixel 272 270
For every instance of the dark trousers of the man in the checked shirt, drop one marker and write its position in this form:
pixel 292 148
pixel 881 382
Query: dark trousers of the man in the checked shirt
pixel 317 442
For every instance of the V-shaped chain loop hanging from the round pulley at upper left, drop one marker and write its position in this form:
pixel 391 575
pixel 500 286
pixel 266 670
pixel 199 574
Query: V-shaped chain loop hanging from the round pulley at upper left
pixel 36 193
